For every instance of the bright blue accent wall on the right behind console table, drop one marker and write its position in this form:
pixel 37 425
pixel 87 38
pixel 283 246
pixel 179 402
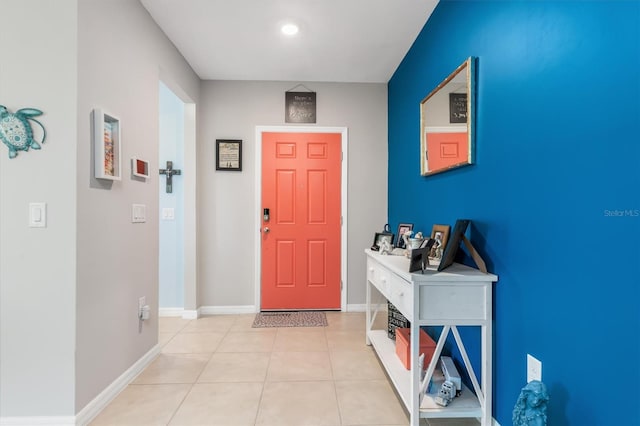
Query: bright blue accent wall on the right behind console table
pixel 554 195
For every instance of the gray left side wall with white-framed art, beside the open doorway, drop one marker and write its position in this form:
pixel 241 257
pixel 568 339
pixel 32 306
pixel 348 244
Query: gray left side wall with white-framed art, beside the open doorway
pixel 122 54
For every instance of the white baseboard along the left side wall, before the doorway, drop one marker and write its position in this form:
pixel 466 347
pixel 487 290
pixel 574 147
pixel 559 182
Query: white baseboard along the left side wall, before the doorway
pixel 93 408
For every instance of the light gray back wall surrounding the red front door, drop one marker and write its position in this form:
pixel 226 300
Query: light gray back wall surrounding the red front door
pixel 226 199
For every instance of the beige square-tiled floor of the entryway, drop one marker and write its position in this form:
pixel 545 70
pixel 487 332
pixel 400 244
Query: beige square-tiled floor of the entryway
pixel 218 370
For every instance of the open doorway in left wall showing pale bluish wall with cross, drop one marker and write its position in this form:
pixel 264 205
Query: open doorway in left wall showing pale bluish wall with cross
pixel 177 212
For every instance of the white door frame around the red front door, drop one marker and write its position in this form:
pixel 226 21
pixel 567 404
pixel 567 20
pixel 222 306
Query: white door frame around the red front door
pixel 343 203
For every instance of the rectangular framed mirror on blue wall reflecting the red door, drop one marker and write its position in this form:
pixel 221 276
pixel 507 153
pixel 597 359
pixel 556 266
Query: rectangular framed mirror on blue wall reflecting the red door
pixel 447 122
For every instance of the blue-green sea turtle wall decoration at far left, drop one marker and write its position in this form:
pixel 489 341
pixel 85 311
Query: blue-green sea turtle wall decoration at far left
pixel 16 132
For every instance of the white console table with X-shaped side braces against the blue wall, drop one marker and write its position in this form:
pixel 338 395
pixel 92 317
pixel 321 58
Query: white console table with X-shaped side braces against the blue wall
pixel 457 296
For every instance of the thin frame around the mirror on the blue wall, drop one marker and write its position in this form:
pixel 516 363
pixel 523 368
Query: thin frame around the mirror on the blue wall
pixel 469 67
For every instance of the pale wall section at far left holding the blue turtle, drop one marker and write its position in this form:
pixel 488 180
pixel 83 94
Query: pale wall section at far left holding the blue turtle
pixel 37 265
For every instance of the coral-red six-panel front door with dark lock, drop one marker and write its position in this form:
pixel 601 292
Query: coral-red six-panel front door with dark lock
pixel 301 240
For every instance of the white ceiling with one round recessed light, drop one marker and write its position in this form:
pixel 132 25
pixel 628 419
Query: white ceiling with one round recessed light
pixel 338 41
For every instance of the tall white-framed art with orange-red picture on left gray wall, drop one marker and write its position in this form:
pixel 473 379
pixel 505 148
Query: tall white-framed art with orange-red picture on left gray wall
pixel 107 145
